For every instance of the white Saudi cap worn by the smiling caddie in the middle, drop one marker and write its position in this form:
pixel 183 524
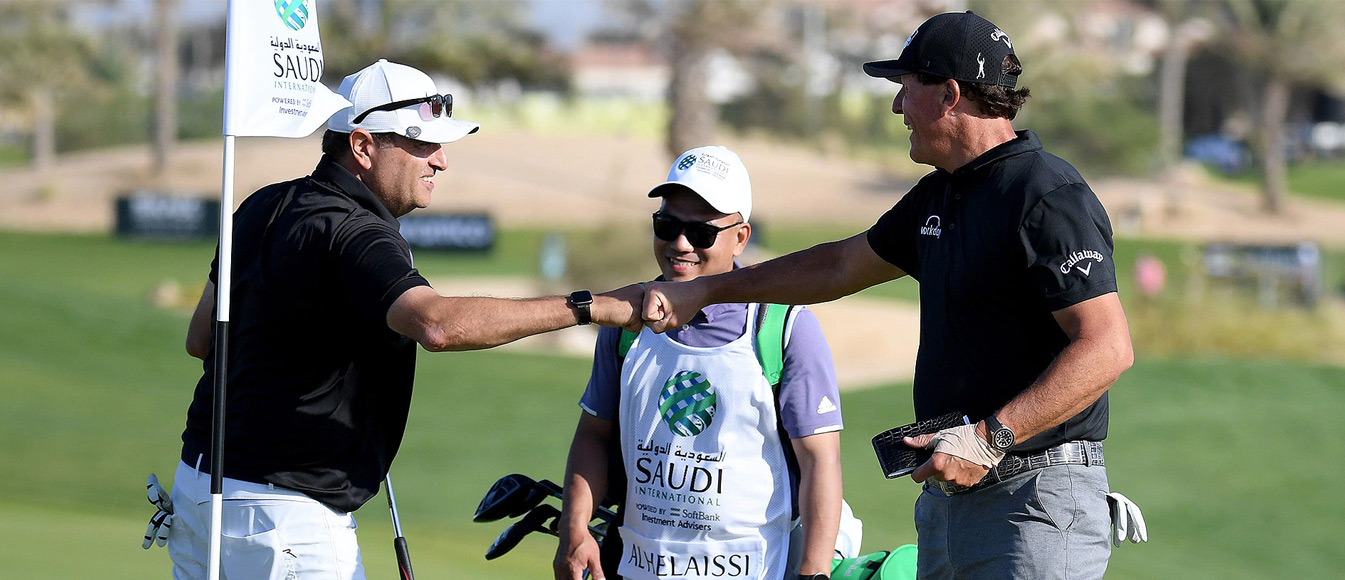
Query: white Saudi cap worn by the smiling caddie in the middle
pixel 718 176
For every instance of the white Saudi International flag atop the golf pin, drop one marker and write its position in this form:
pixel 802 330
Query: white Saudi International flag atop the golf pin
pixel 272 71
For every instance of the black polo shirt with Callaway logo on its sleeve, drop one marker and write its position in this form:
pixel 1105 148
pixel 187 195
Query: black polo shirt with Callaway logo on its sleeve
pixel 997 247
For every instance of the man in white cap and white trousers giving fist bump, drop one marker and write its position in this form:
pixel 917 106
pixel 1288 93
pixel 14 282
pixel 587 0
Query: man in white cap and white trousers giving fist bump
pixel 328 310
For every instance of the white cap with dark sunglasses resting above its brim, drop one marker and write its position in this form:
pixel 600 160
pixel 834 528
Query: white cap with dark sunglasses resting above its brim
pixel 385 83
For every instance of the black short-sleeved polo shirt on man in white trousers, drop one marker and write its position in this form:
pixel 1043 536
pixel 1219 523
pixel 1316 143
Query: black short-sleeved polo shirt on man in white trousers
pixel 319 387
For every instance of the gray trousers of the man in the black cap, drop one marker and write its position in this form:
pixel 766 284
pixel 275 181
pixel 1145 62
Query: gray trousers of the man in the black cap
pixel 1044 524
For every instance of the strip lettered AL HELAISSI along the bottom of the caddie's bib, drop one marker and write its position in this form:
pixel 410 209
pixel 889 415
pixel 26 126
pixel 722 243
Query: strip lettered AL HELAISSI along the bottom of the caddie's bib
pixel 646 559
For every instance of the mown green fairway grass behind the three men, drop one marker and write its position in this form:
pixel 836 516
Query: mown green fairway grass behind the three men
pixel 1235 462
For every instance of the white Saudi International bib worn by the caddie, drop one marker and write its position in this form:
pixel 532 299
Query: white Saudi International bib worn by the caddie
pixel 708 493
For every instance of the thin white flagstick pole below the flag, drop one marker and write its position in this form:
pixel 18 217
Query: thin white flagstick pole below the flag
pixel 217 437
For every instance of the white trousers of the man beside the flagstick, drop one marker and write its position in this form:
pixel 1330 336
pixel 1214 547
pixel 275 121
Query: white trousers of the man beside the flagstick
pixel 267 534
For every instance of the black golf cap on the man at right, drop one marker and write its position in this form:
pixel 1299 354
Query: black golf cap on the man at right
pixel 954 45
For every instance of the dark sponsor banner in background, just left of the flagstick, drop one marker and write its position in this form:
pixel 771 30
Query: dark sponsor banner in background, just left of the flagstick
pixel 159 216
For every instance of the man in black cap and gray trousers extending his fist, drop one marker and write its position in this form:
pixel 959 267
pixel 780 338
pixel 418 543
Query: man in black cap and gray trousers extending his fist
pixel 1022 329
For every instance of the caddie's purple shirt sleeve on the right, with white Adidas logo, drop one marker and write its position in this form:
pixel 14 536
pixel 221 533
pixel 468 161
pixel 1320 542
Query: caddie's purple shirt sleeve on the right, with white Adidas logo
pixel 810 402
